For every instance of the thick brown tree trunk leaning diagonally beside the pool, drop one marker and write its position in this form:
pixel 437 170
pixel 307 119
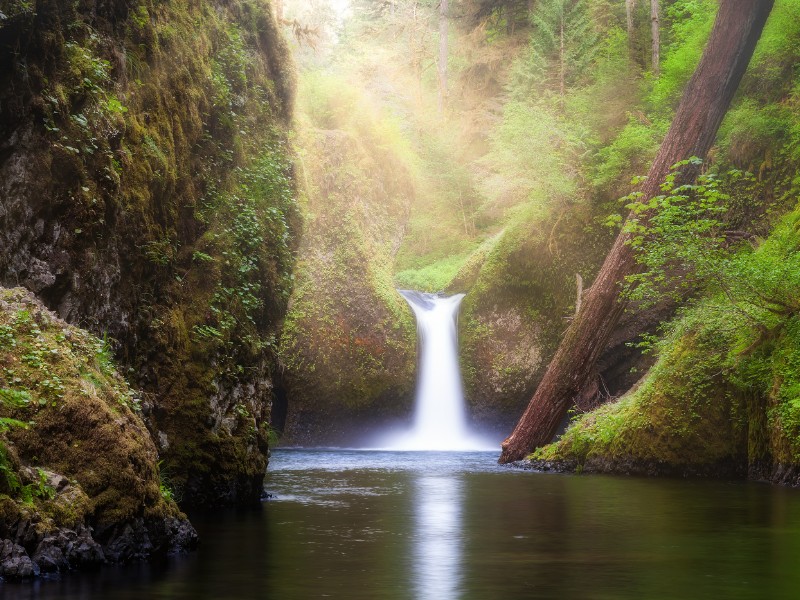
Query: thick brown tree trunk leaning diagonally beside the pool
pixel 705 101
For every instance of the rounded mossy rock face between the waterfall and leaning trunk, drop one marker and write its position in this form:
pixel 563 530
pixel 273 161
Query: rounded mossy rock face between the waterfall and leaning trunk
pixel 520 294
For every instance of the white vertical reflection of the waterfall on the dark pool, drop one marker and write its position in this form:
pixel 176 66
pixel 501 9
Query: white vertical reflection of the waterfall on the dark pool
pixel 438 537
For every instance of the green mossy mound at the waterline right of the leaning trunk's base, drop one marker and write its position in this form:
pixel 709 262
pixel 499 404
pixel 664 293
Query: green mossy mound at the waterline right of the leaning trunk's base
pixel 684 417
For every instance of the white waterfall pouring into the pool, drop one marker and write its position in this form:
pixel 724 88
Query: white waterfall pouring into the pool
pixel 439 414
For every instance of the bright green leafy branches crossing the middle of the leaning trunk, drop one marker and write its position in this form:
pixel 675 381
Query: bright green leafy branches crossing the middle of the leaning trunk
pixel 681 243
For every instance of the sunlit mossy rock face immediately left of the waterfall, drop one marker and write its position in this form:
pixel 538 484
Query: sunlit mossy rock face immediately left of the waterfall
pixel 348 342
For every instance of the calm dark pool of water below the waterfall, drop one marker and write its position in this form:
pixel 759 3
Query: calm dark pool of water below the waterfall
pixel 375 525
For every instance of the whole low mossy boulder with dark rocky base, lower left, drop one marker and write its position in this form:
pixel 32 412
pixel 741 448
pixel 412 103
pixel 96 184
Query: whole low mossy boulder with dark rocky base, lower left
pixel 79 475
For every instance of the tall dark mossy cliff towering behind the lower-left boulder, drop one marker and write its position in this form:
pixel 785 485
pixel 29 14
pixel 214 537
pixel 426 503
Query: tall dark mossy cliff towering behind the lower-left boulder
pixel 148 195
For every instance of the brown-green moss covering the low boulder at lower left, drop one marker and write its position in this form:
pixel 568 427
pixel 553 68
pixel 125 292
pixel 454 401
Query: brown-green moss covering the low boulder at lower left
pixel 81 422
